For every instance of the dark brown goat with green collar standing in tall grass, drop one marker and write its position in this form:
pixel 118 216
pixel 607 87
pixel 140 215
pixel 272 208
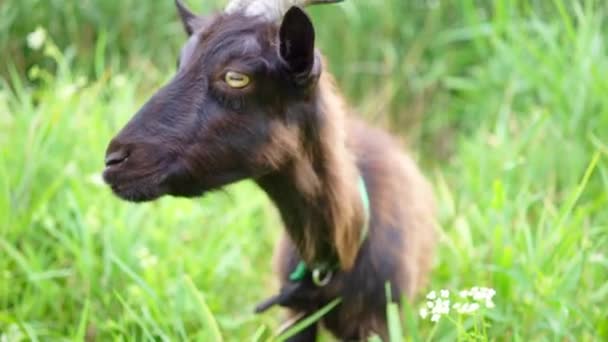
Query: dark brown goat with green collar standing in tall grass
pixel 251 100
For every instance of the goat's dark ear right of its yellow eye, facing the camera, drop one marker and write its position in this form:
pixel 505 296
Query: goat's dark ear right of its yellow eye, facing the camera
pixel 297 42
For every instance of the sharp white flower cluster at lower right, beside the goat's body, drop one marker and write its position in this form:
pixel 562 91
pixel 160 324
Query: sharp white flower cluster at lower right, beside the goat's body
pixel 438 305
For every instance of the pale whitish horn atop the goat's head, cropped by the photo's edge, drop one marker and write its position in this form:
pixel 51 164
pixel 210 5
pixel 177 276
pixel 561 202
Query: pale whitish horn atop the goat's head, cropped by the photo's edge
pixel 272 10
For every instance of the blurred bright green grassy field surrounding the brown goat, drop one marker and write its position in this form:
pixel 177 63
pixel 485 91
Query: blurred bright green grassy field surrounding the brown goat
pixel 505 106
